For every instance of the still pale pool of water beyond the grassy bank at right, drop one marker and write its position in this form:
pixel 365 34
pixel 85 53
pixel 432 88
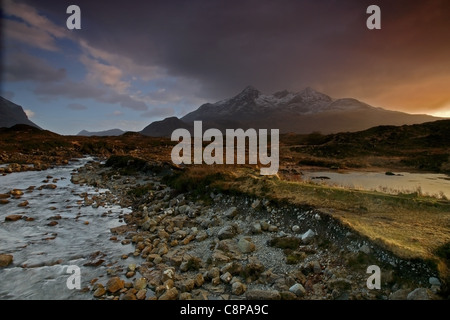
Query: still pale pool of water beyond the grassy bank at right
pixel 402 182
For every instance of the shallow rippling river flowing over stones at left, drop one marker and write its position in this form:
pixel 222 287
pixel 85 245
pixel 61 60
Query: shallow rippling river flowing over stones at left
pixel 42 253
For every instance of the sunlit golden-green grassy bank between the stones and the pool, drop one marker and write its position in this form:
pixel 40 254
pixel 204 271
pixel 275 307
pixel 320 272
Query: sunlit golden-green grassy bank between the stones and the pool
pixel 411 226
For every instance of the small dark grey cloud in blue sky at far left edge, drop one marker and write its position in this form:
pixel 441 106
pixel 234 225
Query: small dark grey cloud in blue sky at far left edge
pixel 21 66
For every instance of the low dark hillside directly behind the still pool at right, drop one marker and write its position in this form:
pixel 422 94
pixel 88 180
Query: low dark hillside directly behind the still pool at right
pixel 424 146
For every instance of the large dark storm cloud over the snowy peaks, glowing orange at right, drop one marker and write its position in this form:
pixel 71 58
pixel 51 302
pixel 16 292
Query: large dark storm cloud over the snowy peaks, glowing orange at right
pixel 273 45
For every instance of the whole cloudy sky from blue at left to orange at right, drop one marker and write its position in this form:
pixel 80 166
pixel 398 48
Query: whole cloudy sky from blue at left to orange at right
pixel 135 62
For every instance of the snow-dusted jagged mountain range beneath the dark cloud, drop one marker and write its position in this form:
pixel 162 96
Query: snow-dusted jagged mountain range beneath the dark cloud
pixel 297 112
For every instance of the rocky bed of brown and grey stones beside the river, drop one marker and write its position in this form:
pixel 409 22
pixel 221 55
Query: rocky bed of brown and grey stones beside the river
pixel 239 247
